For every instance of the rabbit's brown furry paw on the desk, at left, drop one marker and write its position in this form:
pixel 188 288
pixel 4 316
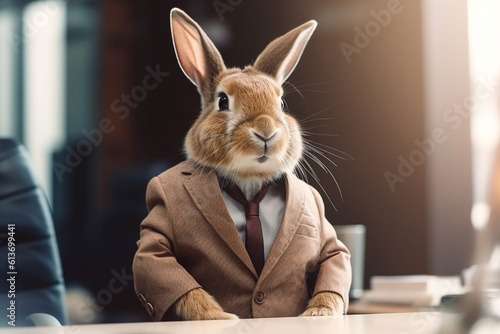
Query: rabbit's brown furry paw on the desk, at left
pixel 199 305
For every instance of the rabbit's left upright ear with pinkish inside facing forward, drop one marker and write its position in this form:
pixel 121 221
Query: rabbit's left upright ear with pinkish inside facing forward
pixel 198 57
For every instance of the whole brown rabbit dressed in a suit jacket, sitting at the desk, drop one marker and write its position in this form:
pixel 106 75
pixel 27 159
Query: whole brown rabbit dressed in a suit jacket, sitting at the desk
pixel 242 136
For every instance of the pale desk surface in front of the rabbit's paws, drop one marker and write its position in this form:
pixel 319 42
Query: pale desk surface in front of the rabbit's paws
pixel 407 323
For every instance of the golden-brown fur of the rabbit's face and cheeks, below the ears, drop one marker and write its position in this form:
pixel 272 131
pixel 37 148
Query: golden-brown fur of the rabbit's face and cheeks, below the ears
pixel 256 108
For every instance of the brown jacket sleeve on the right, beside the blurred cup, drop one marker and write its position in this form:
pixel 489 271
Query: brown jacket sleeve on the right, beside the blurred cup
pixel 334 273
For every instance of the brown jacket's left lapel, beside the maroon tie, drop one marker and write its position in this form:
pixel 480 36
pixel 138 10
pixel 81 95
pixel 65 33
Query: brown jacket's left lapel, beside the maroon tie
pixel 204 189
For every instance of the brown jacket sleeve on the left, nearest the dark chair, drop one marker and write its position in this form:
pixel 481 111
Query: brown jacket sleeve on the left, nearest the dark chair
pixel 159 279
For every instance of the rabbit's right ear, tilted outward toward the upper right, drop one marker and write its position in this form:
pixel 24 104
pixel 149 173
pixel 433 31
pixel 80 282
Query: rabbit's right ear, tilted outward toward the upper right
pixel 281 56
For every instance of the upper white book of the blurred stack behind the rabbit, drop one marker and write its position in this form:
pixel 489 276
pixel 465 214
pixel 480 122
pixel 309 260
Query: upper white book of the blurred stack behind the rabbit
pixel 440 285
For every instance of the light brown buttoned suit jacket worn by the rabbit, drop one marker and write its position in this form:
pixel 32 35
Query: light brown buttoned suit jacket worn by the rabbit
pixel 188 240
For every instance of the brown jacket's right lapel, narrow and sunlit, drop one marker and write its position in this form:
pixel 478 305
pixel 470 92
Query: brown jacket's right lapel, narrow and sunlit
pixel 294 209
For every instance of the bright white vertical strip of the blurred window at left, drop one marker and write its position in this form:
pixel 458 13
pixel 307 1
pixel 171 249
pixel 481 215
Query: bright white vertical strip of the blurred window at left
pixel 44 64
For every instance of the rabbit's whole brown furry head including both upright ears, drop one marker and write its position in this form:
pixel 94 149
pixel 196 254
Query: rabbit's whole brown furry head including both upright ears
pixel 242 131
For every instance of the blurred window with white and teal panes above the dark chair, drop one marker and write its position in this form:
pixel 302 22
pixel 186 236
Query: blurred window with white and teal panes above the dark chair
pixel 33 38
